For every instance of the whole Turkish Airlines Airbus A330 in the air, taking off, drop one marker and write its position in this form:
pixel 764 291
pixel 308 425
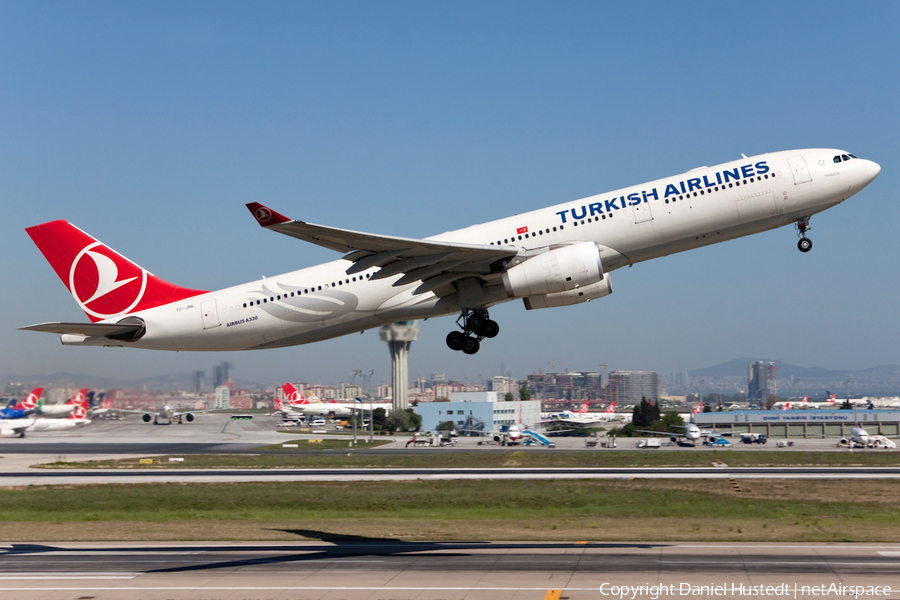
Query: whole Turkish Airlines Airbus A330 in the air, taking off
pixel 550 257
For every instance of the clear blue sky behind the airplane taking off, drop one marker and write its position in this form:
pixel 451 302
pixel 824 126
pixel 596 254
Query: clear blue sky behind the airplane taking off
pixel 150 125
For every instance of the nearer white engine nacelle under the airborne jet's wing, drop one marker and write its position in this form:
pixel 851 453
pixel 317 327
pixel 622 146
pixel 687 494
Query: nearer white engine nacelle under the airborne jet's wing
pixel 555 271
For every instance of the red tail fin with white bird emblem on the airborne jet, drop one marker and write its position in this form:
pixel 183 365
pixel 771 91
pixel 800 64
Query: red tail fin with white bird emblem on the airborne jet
pixel 104 283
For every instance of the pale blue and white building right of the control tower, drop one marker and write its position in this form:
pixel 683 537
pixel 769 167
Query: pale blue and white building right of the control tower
pixel 479 412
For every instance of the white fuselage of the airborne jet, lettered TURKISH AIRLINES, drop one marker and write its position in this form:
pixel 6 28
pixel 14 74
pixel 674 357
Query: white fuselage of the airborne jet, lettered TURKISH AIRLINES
pixel 701 207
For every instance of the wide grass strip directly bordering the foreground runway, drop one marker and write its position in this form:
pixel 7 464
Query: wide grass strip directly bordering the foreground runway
pixel 638 510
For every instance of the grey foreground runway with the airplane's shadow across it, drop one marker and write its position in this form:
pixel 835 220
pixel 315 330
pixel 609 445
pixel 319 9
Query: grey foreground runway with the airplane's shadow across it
pixel 347 567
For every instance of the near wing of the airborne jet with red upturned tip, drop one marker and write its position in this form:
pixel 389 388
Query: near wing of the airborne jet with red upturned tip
pixel 434 263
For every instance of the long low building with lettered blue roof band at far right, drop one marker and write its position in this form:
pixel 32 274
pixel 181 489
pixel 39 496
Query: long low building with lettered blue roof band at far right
pixel 801 423
